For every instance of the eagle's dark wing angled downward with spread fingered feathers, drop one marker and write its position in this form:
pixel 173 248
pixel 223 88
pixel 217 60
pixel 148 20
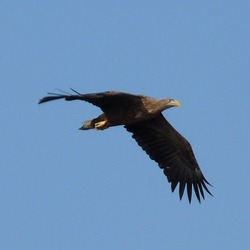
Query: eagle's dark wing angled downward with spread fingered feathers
pixel 172 152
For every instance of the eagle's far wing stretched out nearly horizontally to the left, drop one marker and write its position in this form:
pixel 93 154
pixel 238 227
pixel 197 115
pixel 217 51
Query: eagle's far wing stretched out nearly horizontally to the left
pixel 103 100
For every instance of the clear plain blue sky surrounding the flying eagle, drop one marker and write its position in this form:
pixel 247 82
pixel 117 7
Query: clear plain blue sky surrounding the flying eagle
pixel 61 188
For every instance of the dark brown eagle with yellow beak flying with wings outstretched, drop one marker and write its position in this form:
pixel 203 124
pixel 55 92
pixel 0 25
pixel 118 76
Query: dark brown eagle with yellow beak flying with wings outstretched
pixel 142 116
